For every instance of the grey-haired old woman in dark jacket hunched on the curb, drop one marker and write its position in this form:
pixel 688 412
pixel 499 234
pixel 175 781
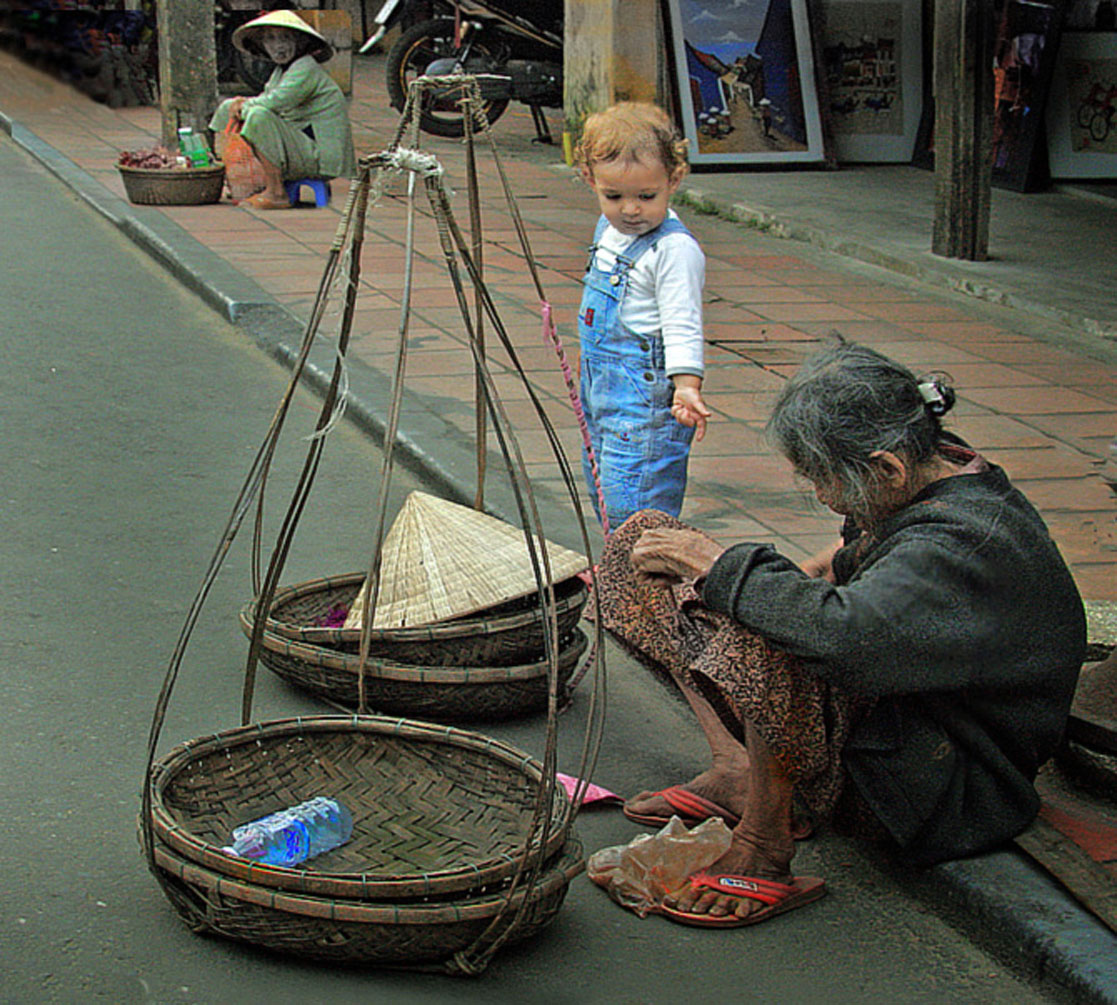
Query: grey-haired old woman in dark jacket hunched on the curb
pixel 909 683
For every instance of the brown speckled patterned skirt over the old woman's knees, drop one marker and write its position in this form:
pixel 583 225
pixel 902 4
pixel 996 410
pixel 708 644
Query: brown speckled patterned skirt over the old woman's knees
pixel 805 721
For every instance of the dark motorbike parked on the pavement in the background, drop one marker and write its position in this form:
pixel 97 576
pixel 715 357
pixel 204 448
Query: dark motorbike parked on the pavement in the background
pixel 514 47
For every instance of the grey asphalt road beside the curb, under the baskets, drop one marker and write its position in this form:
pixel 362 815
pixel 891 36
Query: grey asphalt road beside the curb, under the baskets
pixel 130 416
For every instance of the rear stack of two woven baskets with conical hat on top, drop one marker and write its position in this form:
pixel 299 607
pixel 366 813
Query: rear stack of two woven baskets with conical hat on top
pixel 485 664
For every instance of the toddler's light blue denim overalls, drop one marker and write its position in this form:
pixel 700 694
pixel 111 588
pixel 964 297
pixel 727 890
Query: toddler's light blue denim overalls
pixel 642 451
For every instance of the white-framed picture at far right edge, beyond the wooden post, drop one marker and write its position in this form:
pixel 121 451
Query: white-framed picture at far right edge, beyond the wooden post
pixel 1083 110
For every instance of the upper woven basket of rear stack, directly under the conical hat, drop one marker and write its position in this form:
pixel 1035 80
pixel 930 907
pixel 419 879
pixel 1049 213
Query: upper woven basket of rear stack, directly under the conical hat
pixel 503 636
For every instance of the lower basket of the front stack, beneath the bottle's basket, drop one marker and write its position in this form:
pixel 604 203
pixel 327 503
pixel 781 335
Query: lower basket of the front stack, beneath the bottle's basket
pixel 357 932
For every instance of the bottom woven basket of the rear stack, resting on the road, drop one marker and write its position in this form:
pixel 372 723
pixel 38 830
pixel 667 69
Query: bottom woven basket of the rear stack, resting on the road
pixel 442 694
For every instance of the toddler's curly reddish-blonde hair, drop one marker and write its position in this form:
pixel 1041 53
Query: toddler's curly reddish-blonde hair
pixel 629 132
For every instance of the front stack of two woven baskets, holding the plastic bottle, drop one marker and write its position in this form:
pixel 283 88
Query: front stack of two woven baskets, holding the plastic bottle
pixel 434 876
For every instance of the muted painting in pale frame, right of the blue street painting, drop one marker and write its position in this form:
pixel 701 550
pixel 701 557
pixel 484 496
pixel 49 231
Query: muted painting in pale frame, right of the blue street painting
pixel 873 62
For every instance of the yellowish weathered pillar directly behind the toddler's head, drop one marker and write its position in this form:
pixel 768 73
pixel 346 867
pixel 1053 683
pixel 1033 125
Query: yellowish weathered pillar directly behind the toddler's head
pixel 613 53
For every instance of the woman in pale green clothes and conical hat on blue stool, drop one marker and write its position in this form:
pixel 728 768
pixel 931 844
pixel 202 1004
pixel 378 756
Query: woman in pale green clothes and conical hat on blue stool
pixel 299 127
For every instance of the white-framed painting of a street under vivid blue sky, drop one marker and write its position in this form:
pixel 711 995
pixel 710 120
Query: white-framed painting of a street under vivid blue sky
pixel 746 73
